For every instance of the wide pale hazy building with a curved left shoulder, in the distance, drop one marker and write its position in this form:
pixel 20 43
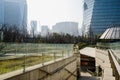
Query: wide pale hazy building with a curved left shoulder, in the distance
pixel 66 28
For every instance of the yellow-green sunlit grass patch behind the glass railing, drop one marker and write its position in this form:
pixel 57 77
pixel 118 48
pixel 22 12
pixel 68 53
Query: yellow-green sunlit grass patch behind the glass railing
pixel 18 63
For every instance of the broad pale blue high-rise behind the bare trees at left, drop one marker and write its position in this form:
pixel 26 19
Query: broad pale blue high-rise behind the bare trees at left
pixel 15 13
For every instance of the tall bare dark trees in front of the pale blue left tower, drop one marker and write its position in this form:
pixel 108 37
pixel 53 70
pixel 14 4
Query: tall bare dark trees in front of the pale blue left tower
pixel 13 33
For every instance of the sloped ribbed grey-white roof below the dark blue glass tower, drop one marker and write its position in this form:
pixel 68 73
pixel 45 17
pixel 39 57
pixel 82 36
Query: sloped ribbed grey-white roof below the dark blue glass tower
pixel 111 33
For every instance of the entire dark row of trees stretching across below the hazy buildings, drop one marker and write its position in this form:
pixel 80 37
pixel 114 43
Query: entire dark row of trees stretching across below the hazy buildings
pixel 15 34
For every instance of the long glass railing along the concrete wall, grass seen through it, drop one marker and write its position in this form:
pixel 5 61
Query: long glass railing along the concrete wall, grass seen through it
pixel 14 56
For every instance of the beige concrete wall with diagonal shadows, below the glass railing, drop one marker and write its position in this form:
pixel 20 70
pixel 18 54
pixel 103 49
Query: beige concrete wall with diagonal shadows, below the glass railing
pixel 63 69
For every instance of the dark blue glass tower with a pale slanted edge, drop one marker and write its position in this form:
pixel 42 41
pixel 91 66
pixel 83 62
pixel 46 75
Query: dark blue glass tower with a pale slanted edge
pixel 99 15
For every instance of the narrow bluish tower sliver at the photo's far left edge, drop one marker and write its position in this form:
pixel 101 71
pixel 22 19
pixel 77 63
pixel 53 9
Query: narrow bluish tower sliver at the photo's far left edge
pixel 1 12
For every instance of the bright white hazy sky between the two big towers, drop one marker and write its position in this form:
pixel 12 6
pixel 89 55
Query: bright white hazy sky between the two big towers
pixel 49 12
